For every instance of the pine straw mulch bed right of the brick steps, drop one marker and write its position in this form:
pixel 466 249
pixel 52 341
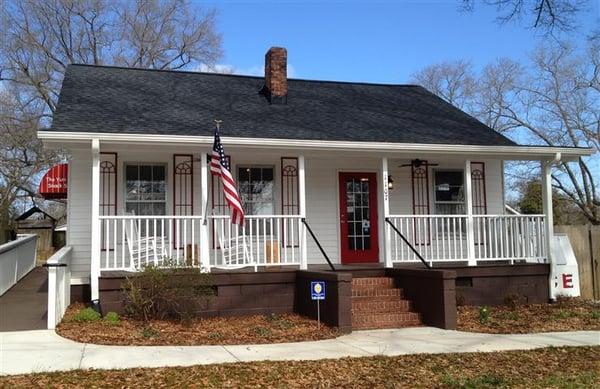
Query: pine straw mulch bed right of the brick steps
pixel 567 314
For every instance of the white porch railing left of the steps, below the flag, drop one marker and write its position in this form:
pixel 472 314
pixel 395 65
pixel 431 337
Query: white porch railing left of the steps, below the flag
pixel 131 242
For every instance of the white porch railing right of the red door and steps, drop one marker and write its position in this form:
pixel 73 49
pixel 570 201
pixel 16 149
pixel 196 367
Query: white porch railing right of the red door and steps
pixel 440 238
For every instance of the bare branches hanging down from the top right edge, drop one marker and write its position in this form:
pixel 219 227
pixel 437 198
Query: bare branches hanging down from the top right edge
pixel 544 15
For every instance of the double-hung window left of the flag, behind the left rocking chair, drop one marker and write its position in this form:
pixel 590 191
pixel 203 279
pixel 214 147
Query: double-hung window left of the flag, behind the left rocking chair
pixel 145 189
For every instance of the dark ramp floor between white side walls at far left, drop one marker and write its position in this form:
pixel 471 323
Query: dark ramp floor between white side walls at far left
pixel 25 305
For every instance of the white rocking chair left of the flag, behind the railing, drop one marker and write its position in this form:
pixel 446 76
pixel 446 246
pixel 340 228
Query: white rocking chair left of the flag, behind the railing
pixel 148 250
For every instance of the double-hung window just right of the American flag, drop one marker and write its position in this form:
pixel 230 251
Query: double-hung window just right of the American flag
pixel 255 184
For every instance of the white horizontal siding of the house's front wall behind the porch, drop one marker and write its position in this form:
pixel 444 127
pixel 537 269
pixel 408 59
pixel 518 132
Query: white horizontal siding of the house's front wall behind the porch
pixel 322 192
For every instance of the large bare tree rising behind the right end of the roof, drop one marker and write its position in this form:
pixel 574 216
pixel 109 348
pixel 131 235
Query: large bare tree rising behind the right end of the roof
pixel 552 101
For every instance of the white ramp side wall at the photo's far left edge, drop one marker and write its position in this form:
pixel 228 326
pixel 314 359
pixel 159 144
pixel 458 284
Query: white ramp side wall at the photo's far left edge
pixel 17 258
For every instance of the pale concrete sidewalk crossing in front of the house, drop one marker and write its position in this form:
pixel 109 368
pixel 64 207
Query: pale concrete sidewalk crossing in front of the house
pixel 42 351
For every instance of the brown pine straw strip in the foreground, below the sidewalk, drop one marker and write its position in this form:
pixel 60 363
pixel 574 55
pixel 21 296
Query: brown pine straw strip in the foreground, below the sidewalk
pixel 573 367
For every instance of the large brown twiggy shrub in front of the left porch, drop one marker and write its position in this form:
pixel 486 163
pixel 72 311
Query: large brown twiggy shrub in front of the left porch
pixel 167 292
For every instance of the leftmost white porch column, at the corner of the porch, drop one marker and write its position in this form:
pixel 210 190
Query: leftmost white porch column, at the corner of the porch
pixel 95 233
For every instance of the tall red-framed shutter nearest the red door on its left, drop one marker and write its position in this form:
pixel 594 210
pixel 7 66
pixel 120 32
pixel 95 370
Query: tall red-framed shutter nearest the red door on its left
pixel 290 204
